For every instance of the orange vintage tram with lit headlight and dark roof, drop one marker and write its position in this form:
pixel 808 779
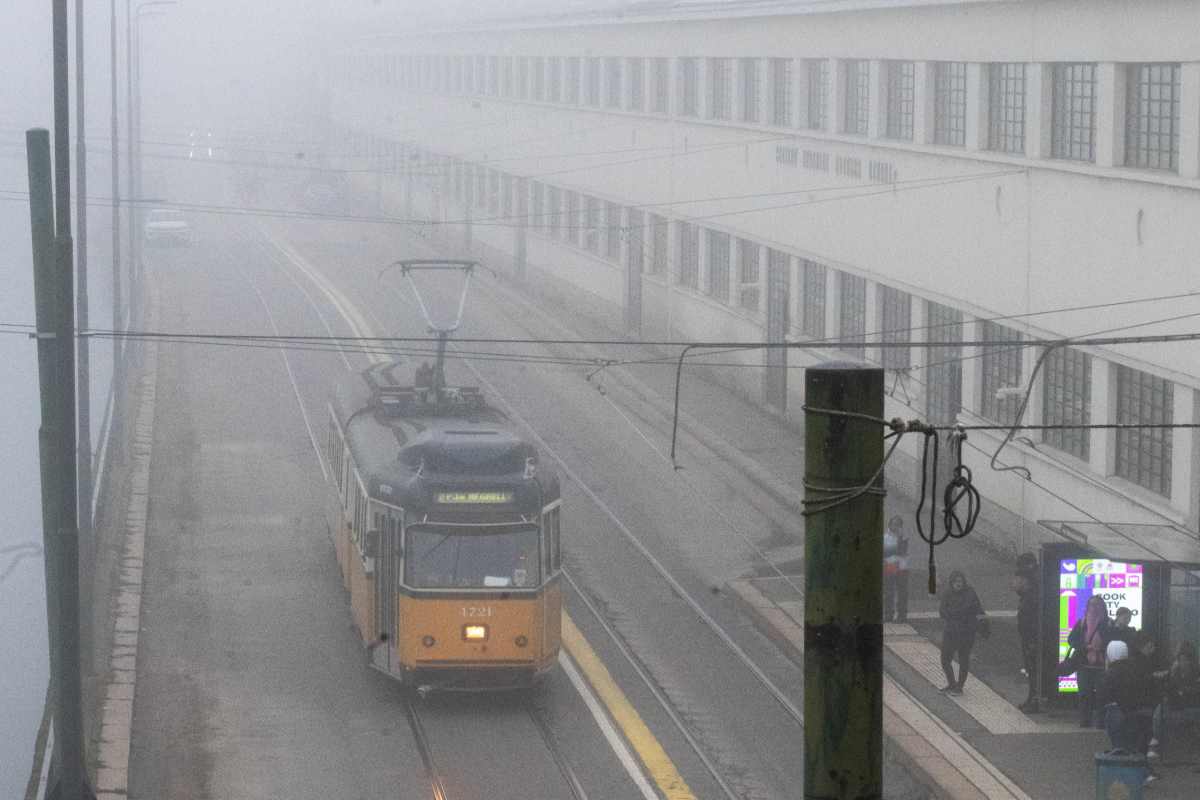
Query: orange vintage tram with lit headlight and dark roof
pixel 447 533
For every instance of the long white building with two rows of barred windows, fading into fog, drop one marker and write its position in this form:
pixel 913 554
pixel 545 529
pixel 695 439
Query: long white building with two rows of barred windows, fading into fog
pixel 913 172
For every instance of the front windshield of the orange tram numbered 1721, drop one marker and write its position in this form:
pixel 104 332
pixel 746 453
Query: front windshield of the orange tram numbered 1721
pixel 472 558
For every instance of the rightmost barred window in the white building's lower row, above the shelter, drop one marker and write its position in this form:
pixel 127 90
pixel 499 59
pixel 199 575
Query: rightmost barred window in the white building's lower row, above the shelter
pixel 1144 455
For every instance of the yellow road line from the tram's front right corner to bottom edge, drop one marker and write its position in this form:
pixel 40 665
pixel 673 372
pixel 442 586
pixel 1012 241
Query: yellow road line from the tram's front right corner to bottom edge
pixel 650 751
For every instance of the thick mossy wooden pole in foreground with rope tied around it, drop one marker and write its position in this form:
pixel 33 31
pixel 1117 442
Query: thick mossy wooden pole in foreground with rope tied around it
pixel 844 581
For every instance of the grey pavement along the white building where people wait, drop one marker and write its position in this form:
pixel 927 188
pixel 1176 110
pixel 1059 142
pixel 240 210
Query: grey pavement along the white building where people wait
pixel 979 745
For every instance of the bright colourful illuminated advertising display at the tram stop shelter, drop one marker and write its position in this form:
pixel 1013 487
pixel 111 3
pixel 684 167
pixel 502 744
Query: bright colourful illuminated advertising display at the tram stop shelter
pixel 1118 584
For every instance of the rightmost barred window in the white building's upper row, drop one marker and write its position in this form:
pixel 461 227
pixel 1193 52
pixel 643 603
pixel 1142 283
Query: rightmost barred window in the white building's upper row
pixel 1153 117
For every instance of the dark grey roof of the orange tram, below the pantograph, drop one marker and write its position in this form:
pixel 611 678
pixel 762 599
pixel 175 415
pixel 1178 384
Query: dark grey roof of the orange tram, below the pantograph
pixel 417 455
